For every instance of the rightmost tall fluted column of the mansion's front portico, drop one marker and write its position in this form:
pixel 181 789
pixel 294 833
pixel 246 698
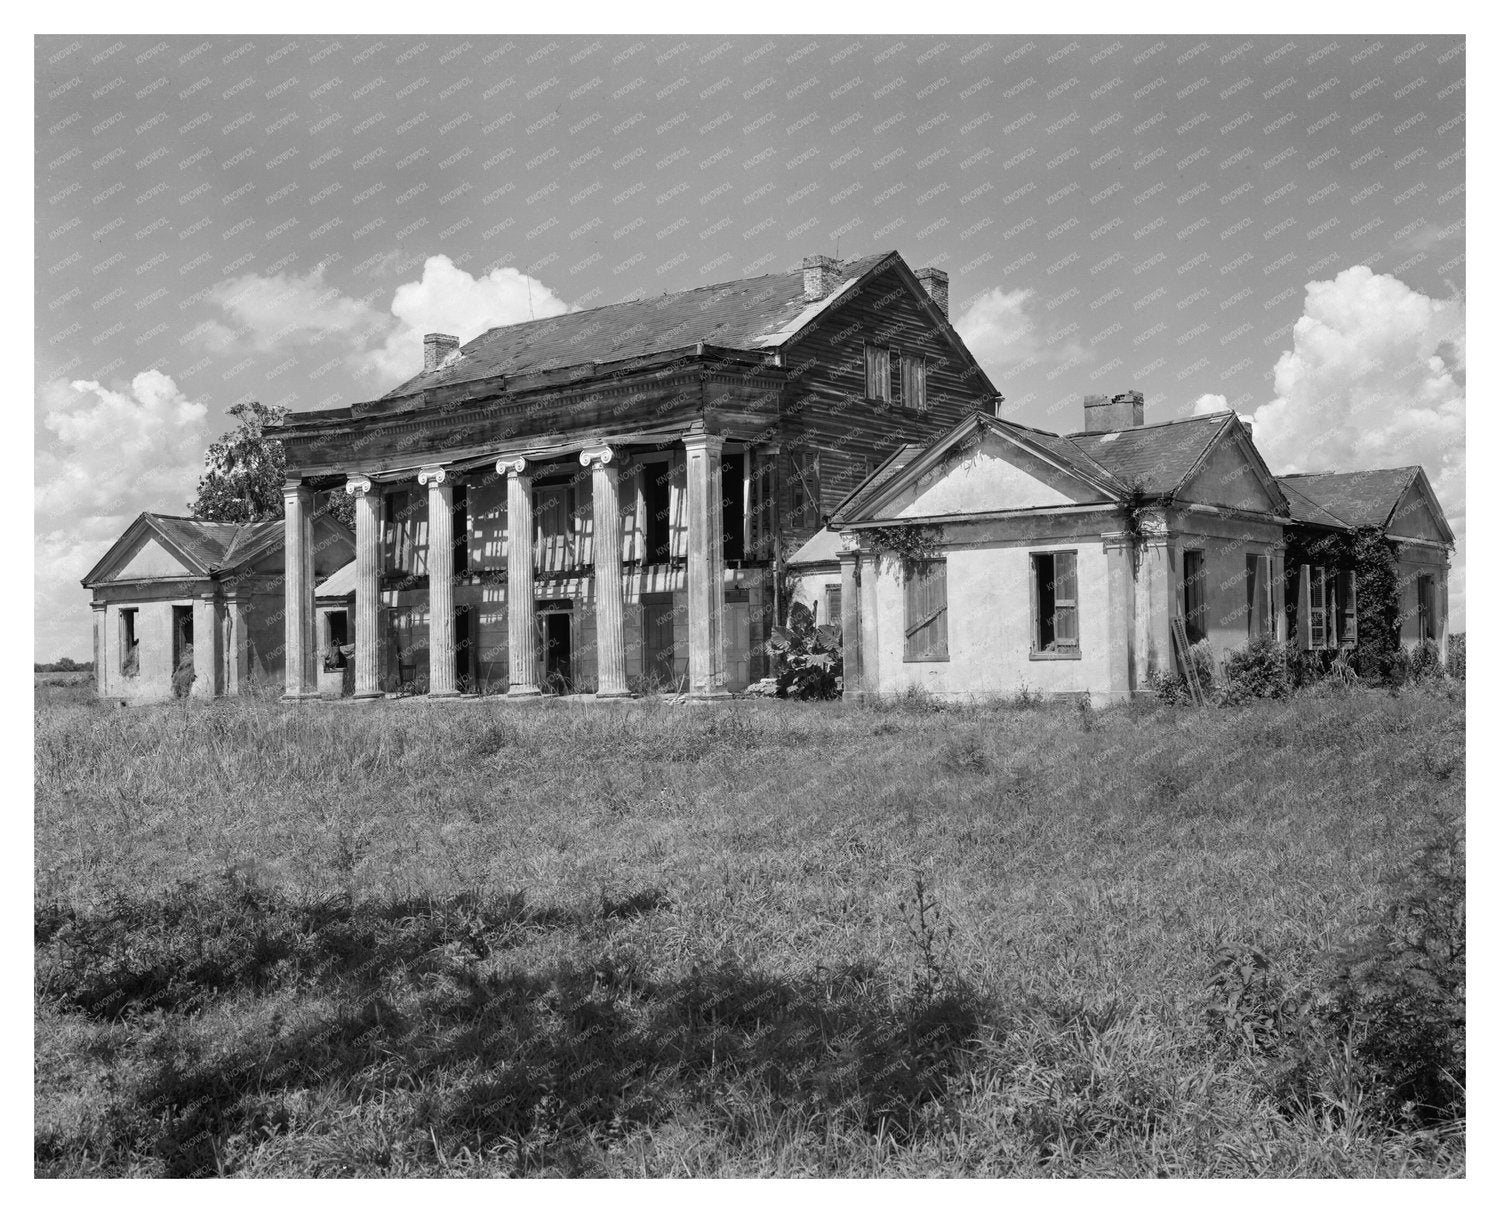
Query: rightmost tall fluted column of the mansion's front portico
pixel 706 566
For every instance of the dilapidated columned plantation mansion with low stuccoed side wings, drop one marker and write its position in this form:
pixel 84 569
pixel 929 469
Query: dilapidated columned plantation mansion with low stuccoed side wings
pixel 631 497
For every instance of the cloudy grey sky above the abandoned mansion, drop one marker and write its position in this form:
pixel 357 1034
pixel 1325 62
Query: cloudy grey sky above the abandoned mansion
pixel 1265 224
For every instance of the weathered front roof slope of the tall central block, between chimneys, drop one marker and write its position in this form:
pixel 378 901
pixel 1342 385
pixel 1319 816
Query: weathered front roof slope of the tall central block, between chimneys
pixel 749 314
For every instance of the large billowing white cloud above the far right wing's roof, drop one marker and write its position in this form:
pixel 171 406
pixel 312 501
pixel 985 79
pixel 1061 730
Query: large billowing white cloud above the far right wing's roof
pixel 1375 380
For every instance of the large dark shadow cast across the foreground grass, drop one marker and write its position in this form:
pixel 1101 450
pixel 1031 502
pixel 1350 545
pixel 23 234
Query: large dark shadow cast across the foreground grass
pixel 550 1067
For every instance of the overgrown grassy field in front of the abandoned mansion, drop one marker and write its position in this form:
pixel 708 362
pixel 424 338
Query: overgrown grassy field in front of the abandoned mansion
pixel 748 941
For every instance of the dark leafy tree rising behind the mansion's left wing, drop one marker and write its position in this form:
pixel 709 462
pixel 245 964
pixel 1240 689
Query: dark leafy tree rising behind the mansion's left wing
pixel 245 470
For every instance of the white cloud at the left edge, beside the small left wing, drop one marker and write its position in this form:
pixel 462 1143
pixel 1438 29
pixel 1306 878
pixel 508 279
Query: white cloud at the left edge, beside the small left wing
pixel 104 455
